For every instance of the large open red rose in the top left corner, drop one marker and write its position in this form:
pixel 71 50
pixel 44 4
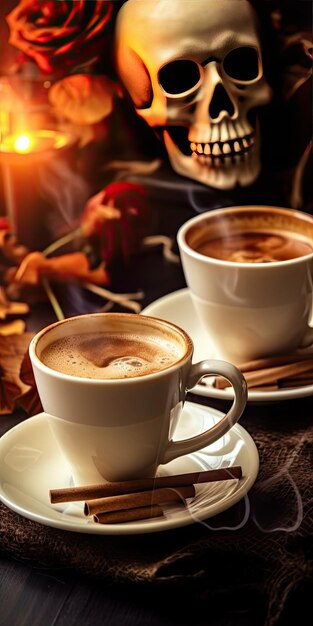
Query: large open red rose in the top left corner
pixel 60 35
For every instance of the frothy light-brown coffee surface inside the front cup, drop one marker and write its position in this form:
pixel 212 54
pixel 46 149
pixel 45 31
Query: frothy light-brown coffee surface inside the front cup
pixel 103 355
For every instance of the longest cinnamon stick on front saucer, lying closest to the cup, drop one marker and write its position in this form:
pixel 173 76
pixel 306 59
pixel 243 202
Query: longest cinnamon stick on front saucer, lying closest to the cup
pixel 90 492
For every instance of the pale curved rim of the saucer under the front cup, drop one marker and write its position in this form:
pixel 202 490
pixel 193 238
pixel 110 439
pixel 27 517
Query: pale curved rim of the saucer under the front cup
pixel 130 528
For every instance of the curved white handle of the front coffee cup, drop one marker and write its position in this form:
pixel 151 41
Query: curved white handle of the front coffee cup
pixel 238 382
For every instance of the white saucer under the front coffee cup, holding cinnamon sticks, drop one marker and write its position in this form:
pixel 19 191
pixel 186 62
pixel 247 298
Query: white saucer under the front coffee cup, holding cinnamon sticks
pixel 31 464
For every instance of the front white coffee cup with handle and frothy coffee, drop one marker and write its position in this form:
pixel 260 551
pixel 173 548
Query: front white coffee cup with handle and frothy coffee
pixel 121 428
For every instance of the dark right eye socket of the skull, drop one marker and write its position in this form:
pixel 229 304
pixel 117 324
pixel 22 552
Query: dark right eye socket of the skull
pixel 242 64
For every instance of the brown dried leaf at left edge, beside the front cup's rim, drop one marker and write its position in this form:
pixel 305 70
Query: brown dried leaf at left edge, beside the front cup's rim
pixel 12 352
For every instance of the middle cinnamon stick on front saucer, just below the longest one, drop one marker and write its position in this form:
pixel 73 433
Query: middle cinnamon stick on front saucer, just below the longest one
pixel 138 499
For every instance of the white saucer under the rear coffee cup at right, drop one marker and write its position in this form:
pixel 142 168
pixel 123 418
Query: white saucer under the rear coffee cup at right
pixel 177 307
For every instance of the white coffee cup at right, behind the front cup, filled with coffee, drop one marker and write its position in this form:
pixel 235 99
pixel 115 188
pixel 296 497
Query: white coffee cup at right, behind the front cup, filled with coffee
pixel 254 300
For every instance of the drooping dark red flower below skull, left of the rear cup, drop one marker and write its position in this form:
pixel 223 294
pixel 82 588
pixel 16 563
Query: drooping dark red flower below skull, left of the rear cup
pixel 116 220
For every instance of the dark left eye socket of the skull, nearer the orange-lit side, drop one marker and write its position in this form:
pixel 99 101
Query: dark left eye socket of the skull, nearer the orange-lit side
pixel 179 77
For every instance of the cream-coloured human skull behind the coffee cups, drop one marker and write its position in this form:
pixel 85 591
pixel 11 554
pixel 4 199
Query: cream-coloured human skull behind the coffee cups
pixel 193 69
